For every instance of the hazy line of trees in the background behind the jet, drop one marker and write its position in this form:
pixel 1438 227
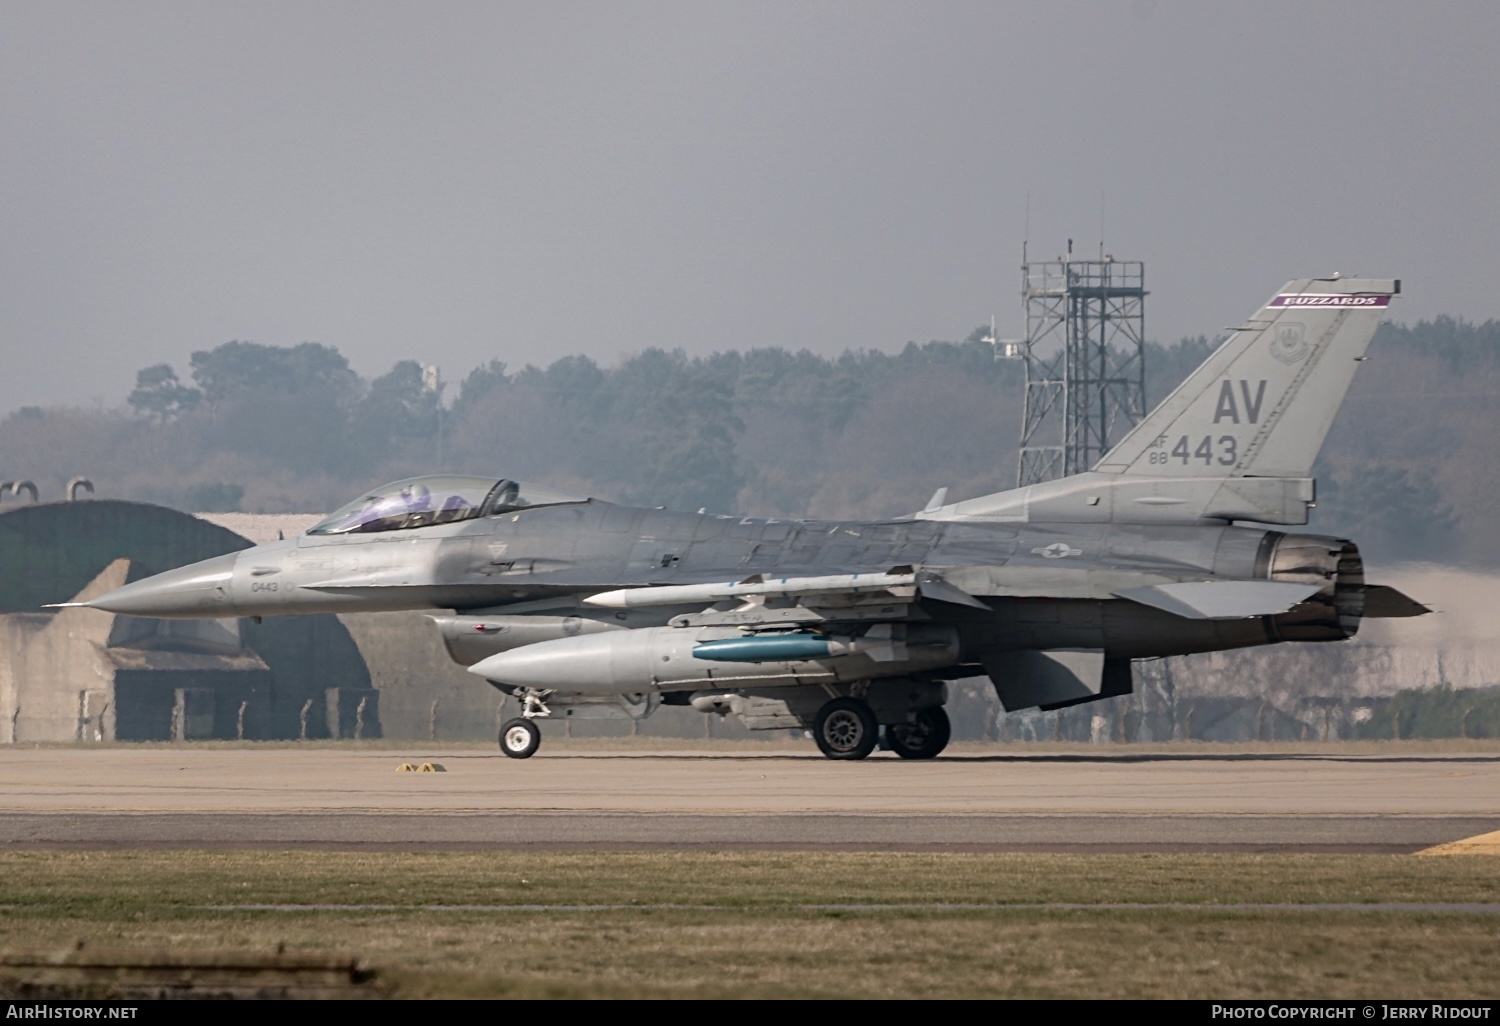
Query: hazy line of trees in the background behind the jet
pixel 1409 470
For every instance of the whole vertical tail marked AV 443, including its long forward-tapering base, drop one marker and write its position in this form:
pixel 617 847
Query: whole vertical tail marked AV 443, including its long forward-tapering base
pixel 1238 439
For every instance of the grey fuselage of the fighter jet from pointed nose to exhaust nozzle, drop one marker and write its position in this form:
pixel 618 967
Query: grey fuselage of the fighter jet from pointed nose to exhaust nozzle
pixel 1046 586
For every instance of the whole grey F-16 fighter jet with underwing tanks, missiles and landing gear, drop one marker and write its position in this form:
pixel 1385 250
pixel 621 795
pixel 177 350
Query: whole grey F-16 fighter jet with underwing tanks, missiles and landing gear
pixel 1171 545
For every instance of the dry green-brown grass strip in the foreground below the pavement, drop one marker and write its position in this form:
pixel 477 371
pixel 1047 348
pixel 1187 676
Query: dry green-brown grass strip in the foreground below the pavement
pixel 889 925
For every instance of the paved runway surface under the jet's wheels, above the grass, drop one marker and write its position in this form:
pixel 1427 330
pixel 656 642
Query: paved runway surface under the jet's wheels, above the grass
pixel 1109 802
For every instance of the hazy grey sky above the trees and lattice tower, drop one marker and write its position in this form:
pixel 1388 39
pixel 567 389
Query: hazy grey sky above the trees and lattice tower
pixel 463 182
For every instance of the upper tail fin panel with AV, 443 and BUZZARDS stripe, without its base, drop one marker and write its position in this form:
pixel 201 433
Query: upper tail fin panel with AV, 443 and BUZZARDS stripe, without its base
pixel 1264 403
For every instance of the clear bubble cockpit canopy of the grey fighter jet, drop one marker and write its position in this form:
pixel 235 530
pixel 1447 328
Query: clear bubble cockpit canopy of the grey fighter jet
pixel 424 502
